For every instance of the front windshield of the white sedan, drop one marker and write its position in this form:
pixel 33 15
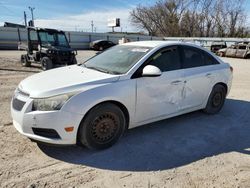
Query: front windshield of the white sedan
pixel 117 60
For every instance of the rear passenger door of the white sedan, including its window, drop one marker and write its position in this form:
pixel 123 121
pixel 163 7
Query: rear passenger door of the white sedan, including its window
pixel 198 76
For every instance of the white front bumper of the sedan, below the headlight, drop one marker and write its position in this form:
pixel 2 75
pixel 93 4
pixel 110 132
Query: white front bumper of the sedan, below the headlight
pixel 26 121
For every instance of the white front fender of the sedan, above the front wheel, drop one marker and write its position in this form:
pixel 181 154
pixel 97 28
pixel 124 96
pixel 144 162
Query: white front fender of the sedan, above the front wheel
pixel 122 91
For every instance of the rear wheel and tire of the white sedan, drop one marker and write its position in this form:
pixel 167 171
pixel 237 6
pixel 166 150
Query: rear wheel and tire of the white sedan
pixel 216 99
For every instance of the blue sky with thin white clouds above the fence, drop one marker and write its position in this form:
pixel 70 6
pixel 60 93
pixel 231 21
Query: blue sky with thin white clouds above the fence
pixel 74 14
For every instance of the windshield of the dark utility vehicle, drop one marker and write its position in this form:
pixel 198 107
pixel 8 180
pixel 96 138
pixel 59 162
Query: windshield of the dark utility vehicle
pixel 52 39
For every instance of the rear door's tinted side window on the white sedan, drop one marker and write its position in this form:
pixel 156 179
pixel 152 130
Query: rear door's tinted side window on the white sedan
pixel 192 57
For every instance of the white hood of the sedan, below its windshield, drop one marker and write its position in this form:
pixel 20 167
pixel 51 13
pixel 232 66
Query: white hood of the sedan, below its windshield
pixel 64 80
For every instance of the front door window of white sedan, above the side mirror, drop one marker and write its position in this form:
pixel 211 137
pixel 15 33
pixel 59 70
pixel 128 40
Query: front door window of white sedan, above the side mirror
pixel 167 59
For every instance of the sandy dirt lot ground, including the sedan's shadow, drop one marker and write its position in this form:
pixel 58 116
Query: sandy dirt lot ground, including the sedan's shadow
pixel 193 150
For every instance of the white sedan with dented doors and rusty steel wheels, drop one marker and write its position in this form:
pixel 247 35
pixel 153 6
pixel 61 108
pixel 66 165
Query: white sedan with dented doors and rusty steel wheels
pixel 126 86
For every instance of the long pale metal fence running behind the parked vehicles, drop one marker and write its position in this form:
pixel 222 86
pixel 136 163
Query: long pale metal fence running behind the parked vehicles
pixel 9 38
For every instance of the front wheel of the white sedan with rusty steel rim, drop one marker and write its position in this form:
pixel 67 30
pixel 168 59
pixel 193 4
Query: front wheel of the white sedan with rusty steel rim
pixel 102 127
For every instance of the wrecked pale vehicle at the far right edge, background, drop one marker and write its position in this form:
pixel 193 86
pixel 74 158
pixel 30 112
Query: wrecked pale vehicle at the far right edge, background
pixel 240 50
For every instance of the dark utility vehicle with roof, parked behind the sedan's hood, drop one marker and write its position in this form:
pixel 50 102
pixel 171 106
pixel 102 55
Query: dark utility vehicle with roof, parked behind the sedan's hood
pixel 49 47
